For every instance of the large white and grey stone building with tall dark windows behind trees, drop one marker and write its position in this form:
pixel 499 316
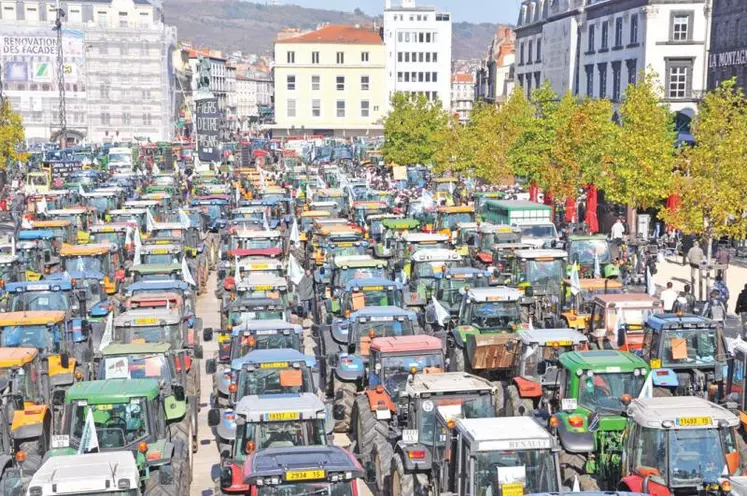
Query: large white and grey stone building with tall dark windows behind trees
pixel 596 48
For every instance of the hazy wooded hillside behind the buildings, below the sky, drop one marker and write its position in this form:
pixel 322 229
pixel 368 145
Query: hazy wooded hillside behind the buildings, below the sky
pixel 251 27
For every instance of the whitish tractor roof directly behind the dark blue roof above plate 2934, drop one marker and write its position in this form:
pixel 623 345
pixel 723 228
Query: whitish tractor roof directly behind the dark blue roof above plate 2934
pixel 306 405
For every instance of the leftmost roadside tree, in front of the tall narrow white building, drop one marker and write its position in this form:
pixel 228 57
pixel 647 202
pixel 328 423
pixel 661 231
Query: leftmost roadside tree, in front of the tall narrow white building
pixel 412 129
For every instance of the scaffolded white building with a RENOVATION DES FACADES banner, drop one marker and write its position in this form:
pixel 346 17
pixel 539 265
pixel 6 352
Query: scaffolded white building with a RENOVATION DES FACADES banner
pixel 118 85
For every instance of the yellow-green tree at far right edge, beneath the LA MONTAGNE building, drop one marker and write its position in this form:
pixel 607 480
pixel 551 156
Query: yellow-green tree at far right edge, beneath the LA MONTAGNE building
pixel 711 177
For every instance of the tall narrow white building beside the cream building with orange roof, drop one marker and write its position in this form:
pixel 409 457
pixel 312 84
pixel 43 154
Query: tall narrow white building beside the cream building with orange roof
pixel 418 46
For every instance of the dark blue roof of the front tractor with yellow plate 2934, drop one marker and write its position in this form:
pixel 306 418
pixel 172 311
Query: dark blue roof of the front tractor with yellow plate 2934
pixel 278 461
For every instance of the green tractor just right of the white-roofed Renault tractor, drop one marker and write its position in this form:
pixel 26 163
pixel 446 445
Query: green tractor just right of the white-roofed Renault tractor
pixel 595 388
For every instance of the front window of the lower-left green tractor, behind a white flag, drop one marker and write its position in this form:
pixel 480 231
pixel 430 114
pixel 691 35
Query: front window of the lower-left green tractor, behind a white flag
pixel 117 425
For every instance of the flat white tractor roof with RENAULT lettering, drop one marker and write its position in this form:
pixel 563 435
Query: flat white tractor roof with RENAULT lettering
pixel 504 433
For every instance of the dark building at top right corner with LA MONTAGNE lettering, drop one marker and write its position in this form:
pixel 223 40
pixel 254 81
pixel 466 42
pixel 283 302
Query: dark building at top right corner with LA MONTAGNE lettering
pixel 728 54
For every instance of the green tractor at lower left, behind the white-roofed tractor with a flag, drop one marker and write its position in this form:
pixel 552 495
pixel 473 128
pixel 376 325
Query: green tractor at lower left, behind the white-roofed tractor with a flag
pixel 132 415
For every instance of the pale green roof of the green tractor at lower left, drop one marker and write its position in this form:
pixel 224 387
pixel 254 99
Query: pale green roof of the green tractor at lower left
pixel 113 390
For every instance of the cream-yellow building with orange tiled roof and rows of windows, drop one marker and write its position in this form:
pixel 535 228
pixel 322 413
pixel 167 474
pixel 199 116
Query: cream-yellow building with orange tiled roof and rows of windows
pixel 330 81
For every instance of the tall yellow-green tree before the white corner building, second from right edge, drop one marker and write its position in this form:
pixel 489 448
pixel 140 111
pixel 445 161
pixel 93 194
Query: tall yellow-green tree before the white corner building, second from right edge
pixel 641 172
